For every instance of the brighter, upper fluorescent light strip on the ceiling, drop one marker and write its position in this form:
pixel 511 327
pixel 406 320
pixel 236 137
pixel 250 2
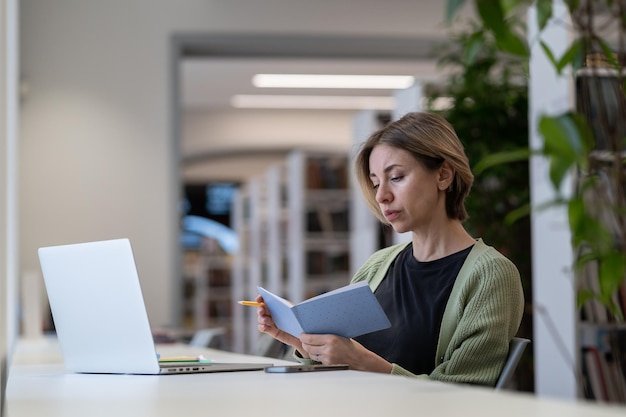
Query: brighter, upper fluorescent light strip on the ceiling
pixel 387 82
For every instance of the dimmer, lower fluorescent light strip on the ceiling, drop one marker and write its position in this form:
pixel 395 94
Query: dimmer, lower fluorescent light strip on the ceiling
pixel 313 102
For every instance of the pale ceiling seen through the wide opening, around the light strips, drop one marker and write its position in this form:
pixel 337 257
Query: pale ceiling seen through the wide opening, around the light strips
pixel 212 68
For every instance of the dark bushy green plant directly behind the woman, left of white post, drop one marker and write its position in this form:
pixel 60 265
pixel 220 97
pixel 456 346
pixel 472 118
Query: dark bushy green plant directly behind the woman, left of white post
pixel 490 115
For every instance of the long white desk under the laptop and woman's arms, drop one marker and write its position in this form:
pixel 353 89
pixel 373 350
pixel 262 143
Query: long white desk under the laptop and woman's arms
pixel 39 386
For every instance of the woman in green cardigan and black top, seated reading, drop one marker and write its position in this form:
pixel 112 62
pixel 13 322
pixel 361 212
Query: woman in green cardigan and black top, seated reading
pixel 454 302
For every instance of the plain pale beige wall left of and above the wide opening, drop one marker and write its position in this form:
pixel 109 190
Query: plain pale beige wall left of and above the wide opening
pixel 97 157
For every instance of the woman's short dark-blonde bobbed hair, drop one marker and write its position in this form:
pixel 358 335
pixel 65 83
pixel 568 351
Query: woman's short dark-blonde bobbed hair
pixel 431 140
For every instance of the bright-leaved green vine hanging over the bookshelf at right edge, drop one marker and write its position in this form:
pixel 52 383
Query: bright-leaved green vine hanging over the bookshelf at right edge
pixel 587 142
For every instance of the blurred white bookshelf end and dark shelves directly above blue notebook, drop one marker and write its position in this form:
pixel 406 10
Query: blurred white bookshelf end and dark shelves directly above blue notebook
pixel 318 238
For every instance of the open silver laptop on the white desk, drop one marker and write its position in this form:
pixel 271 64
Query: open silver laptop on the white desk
pixel 100 316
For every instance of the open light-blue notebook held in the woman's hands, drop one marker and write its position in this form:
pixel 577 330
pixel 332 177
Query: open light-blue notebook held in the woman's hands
pixel 348 311
